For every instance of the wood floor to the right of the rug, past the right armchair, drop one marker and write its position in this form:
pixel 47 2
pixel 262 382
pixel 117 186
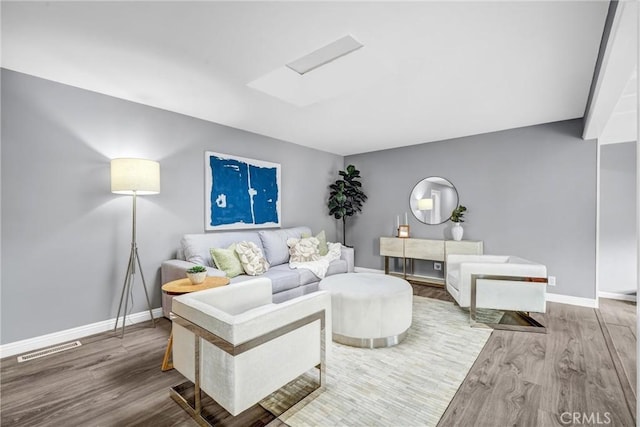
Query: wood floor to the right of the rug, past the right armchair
pixel 530 379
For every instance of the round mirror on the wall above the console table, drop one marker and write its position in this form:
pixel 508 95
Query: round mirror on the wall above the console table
pixel 433 199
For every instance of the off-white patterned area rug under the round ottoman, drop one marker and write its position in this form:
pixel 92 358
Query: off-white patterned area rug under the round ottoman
pixel 410 384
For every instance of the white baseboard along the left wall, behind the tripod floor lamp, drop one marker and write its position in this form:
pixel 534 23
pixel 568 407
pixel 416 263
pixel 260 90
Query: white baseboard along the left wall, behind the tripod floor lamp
pixel 23 346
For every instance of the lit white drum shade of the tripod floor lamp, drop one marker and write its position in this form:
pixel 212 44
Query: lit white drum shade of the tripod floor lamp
pixel 139 176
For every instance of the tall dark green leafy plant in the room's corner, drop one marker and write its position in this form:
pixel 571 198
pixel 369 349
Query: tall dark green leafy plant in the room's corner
pixel 346 197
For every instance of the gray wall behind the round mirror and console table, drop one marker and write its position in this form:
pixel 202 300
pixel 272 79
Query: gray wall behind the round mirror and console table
pixel 530 192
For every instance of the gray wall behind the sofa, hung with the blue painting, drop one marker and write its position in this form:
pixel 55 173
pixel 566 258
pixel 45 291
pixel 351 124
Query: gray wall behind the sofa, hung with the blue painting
pixel 60 219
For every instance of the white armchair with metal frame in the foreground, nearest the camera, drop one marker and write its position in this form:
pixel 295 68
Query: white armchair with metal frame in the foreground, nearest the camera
pixel 238 347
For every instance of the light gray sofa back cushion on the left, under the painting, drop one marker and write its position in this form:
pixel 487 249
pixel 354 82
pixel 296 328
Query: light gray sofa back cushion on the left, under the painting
pixel 196 247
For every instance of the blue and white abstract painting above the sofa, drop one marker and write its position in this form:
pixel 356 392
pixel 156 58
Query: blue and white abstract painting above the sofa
pixel 241 192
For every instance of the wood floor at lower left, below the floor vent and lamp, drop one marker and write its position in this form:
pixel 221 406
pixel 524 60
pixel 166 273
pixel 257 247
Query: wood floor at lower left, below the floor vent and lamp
pixel 107 381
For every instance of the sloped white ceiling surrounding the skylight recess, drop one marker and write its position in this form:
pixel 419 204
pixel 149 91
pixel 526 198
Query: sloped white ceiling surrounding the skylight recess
pixel 456 68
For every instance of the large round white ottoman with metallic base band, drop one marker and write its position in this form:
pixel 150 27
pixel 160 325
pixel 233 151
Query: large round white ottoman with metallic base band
pixel 369 310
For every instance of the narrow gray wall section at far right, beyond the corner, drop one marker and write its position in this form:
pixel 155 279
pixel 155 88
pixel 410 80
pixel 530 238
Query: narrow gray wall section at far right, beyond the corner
pixel 617 271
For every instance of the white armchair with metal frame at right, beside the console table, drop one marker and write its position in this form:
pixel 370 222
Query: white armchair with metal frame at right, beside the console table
pixel 497 282
